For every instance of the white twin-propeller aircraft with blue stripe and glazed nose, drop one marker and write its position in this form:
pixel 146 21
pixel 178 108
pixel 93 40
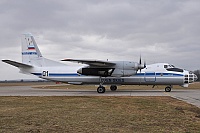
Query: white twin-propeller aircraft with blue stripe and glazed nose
pixel 97 72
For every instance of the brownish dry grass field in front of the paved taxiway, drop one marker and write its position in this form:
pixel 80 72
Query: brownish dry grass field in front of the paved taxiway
pixel 97 114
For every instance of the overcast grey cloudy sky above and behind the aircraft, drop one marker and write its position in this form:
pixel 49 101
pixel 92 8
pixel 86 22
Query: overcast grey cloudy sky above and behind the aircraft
pixel 159 30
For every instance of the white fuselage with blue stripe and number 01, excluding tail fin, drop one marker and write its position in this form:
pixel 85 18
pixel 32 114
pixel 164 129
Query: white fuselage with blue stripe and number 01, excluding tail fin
pixel 154 74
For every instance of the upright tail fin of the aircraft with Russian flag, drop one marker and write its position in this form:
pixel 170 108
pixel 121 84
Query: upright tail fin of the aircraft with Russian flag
pixel 30 51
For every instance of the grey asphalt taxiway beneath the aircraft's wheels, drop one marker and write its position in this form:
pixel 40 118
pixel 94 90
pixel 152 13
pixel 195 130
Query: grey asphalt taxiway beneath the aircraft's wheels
pixel 189 96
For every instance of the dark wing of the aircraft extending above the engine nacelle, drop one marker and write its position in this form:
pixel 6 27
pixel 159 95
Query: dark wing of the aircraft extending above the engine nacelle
pixel 92 62
